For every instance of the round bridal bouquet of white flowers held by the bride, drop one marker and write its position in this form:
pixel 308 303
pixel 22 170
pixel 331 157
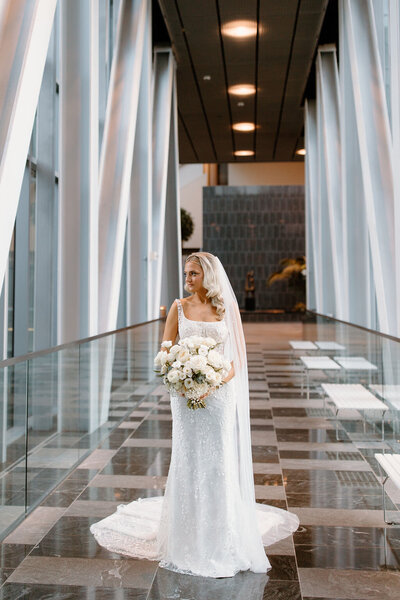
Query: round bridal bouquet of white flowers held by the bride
pixel 192 367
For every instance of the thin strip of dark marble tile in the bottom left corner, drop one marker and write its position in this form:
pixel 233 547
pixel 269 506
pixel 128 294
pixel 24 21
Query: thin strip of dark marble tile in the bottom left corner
pixel 35 591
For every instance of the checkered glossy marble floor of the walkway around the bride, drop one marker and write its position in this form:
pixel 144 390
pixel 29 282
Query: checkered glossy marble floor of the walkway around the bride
pixel 341 551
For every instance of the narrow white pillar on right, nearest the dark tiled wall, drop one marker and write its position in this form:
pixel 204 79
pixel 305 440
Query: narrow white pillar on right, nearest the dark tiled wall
pixel 314 289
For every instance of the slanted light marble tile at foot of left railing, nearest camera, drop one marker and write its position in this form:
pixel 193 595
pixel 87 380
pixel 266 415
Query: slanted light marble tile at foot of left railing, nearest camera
pixel 35 526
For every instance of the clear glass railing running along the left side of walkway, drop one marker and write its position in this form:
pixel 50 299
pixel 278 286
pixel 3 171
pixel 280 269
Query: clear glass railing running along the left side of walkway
pixel 57 405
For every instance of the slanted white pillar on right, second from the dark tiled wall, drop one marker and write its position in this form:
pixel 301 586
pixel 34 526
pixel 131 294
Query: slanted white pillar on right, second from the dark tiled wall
pixel 330 178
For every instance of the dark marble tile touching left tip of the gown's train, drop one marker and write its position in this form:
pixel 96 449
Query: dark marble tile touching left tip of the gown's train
pixel 71 537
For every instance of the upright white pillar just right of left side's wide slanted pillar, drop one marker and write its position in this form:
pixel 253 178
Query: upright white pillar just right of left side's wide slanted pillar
pixel 139 217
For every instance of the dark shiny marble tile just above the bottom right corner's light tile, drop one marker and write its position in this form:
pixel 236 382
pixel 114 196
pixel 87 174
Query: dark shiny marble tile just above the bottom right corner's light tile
pixel 347 557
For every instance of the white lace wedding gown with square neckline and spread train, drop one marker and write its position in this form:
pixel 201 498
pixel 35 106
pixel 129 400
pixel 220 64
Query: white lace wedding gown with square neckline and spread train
pixel 200 526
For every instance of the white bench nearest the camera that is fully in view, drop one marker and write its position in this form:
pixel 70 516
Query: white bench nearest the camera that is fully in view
pixel 353 396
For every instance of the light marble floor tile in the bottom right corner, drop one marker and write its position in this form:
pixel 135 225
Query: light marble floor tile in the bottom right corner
pixel 350 584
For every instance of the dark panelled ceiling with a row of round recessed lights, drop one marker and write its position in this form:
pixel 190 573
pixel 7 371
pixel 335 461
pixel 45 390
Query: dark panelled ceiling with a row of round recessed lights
pixel 278 61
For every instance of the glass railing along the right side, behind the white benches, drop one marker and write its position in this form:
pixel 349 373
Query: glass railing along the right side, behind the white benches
pixel 368 359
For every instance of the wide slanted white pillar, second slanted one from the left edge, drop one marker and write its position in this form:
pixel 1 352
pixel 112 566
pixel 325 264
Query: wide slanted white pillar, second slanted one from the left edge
pixel 117 154
